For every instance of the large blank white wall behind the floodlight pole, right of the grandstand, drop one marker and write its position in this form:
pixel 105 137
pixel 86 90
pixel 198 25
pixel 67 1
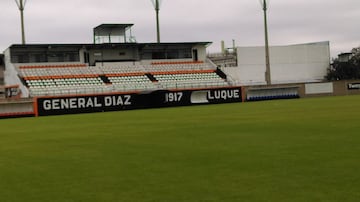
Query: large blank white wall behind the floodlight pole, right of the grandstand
pixel 288 64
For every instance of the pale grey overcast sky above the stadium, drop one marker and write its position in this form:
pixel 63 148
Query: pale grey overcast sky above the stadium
pixel 289 21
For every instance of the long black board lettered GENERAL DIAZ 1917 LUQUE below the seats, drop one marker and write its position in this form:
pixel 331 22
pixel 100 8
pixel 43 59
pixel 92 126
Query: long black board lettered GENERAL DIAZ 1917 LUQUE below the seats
pixel 117 102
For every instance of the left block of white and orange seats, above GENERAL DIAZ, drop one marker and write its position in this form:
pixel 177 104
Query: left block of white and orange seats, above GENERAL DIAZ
pixel 62 79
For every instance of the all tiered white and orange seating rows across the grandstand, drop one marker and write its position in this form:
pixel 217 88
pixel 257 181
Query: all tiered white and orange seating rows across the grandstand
pixel 45 80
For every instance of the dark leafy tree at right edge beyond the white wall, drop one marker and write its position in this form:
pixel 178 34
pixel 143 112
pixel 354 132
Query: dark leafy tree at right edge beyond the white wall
pixel 345 69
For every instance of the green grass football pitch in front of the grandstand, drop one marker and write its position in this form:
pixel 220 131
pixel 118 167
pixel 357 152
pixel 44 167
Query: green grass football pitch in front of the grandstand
pixel 284 150
